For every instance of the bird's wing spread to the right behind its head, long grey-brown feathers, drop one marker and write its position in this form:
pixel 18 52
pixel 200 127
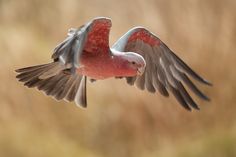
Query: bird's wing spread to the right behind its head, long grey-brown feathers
pixel 164 70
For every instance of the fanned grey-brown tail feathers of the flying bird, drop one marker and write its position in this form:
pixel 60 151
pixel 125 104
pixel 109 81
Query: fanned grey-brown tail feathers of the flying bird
pixel 56 81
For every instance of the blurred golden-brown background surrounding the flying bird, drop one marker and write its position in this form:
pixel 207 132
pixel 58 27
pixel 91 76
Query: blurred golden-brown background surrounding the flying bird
pixel 120 120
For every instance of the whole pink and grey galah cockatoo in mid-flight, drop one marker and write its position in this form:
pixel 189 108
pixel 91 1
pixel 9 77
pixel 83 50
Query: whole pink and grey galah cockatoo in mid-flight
pixel 139 56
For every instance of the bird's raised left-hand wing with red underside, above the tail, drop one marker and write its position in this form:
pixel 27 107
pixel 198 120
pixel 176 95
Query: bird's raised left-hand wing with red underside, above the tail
pixel 88 38
